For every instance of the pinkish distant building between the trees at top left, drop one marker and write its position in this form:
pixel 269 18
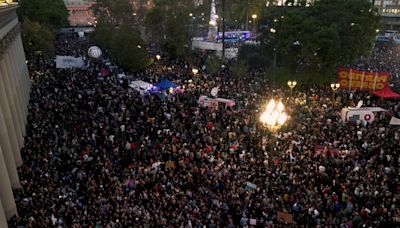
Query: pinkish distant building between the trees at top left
pixel 80 13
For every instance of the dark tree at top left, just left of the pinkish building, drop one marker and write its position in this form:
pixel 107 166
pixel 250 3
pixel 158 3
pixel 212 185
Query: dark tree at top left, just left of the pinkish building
pixel 49 12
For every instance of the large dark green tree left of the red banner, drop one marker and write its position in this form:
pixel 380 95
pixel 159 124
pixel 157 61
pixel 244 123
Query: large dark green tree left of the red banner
pixel 322 36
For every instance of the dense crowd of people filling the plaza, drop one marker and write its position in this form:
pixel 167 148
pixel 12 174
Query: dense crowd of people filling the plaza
pixel 100 155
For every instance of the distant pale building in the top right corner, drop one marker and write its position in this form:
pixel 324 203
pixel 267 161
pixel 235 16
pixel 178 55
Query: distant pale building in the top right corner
pixel 390 13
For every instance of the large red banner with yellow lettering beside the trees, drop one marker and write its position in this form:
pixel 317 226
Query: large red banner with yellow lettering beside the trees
pixel 362 80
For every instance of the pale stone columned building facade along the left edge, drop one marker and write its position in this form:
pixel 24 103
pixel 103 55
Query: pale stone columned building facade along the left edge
pixel 14 99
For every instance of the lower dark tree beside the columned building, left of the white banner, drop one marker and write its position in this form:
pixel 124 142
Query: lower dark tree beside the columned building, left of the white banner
pixel 37 38
